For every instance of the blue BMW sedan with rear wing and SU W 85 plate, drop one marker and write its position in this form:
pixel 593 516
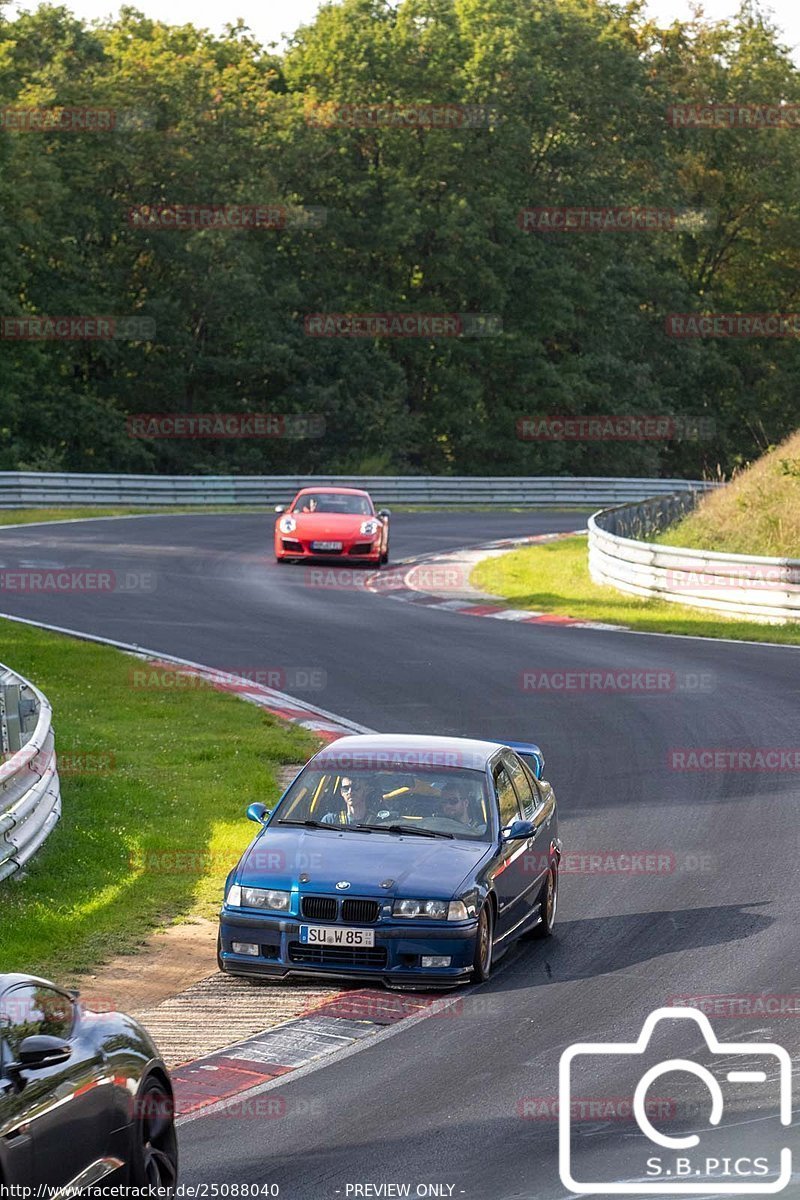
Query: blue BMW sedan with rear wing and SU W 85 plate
pixel 414 861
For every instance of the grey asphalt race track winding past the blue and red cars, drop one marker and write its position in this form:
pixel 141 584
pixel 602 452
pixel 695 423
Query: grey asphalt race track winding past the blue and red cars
pixel 467 1103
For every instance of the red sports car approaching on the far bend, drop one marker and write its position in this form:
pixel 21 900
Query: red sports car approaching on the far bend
pixel 332 523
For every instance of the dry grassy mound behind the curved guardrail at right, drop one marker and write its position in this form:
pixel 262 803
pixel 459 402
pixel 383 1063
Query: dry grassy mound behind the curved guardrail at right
pixel 757 513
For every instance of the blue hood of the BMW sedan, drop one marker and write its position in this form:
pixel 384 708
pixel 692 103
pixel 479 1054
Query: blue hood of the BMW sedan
pixel 419 867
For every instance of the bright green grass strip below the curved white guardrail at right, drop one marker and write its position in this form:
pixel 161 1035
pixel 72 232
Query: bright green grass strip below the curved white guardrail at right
pixel 555 578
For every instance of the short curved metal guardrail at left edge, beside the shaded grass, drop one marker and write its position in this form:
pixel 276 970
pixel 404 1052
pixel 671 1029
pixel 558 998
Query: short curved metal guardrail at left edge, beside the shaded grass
pixel 31 795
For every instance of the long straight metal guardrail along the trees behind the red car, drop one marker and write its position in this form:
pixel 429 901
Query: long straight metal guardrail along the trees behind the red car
pixel 35 489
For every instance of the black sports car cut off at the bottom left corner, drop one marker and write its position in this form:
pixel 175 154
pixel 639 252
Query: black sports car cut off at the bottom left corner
pixel 85 1097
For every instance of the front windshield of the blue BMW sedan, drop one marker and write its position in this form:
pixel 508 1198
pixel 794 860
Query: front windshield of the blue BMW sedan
pixel 449 801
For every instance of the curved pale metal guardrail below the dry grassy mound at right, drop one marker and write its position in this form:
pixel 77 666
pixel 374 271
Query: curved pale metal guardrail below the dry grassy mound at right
pixel 755 589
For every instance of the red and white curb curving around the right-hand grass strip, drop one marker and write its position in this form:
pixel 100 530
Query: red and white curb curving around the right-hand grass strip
pixel 442 581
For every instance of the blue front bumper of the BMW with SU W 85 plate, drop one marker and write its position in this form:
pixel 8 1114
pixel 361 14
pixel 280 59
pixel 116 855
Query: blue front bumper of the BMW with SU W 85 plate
pixel 396 957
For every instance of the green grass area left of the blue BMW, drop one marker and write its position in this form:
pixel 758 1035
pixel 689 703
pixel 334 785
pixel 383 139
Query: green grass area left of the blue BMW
pixel 148 775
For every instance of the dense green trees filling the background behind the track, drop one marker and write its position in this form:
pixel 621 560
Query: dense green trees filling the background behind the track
pixel 417 220
